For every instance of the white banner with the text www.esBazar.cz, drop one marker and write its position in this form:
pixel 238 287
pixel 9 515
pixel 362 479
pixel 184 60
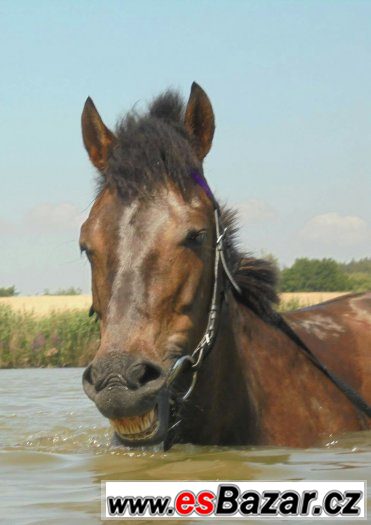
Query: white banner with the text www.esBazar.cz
pixel 234 499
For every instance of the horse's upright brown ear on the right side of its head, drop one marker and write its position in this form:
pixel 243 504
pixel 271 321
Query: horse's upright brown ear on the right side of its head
pixel 199 120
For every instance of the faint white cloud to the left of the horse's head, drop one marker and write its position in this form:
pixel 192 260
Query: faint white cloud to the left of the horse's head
pixel 47 217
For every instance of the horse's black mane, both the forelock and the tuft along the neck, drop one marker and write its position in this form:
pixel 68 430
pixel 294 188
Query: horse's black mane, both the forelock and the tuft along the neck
pixel 155 148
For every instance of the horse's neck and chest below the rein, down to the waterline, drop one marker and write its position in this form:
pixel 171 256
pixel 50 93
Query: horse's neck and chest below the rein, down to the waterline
pixel 264 390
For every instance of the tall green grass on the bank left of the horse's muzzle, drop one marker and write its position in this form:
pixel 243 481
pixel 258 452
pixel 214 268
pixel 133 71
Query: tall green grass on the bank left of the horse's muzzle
pixel 59 339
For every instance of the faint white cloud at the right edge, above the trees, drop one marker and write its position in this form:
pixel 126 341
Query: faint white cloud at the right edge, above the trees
pixel 333 228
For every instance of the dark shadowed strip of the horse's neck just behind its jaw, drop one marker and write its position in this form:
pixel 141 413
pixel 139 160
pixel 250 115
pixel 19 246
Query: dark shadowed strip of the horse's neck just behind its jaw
pixel 220 411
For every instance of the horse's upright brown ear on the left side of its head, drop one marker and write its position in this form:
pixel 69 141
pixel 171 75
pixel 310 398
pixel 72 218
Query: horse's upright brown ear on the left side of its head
pixel 98 139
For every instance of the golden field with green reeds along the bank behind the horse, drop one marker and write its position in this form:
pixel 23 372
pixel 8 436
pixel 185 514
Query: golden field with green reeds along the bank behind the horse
pixel 55 331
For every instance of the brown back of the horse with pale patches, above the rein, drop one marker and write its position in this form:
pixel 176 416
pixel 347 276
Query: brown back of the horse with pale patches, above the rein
pixel 339 334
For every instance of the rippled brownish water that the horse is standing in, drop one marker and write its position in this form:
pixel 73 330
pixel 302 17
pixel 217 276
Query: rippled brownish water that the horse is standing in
pixel 55 450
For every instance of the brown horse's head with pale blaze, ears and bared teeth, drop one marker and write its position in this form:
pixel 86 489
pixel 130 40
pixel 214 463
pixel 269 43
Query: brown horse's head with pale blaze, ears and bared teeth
pixel 150 239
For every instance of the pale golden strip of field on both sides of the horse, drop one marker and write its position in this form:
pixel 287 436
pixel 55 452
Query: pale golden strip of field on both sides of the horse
pixel 42 305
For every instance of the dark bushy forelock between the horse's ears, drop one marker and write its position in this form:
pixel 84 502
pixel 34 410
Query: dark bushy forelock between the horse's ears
pixel 152 149
